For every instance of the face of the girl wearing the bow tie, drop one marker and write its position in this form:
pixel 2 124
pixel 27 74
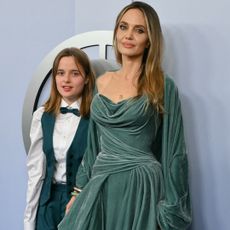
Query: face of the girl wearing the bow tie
pixel 70 79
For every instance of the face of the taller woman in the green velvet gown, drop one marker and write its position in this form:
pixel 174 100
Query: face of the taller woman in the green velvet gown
pixel 131 34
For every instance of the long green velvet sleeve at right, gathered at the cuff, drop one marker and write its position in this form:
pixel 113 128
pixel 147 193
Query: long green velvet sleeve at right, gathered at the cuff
pixel 174 211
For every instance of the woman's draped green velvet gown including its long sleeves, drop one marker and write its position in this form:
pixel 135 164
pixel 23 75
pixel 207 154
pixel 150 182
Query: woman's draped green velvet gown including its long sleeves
pixel 123 177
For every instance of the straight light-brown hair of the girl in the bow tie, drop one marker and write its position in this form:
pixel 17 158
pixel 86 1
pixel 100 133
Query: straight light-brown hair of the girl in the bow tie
pixel 81 59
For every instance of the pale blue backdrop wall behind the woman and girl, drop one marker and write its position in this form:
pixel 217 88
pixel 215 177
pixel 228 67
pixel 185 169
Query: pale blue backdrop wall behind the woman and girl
pixel 197 35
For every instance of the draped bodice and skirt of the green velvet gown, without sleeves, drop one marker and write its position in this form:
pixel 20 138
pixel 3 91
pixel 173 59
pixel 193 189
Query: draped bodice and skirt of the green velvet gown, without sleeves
pixel 126 182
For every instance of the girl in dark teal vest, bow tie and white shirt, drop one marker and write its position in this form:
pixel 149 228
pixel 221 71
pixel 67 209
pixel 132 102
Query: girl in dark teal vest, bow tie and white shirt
pixel 58 140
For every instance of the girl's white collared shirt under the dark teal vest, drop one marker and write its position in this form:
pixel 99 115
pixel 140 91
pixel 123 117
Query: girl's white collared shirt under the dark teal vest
pixel 64 130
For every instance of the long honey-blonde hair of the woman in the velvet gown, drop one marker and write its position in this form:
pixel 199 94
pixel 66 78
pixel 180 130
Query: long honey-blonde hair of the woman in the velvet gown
pixel 151 80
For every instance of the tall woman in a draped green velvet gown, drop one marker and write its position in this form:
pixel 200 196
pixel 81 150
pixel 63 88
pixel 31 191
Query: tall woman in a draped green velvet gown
pixel 134 173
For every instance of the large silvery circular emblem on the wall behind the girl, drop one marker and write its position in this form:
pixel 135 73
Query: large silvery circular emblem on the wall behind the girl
pixel 100 39
